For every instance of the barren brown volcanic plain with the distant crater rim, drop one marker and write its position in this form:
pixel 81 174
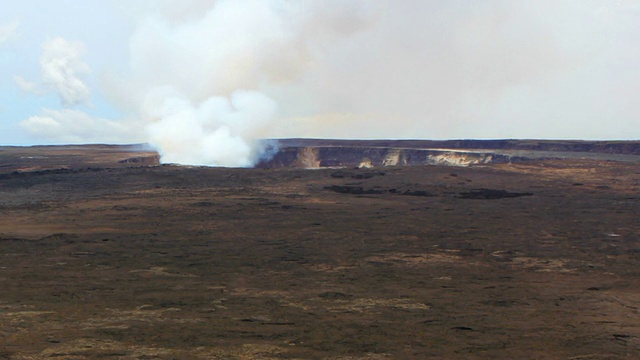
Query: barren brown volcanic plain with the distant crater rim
pixel 384 250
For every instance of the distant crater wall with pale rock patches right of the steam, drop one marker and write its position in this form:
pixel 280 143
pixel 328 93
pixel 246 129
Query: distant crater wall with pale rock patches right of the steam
pixel 321 153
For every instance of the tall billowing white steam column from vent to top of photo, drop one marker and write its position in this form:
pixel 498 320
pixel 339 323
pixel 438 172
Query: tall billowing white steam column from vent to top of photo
pixel 202 78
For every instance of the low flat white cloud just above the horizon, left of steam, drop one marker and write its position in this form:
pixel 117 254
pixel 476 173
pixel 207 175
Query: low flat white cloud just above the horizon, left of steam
pixel 74 126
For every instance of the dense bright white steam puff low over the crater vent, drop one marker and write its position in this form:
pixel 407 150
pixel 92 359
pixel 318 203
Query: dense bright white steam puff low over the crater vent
pixel 219 131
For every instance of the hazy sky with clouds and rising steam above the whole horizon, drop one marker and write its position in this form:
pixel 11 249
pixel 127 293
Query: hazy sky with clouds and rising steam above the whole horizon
pixel 203 81
